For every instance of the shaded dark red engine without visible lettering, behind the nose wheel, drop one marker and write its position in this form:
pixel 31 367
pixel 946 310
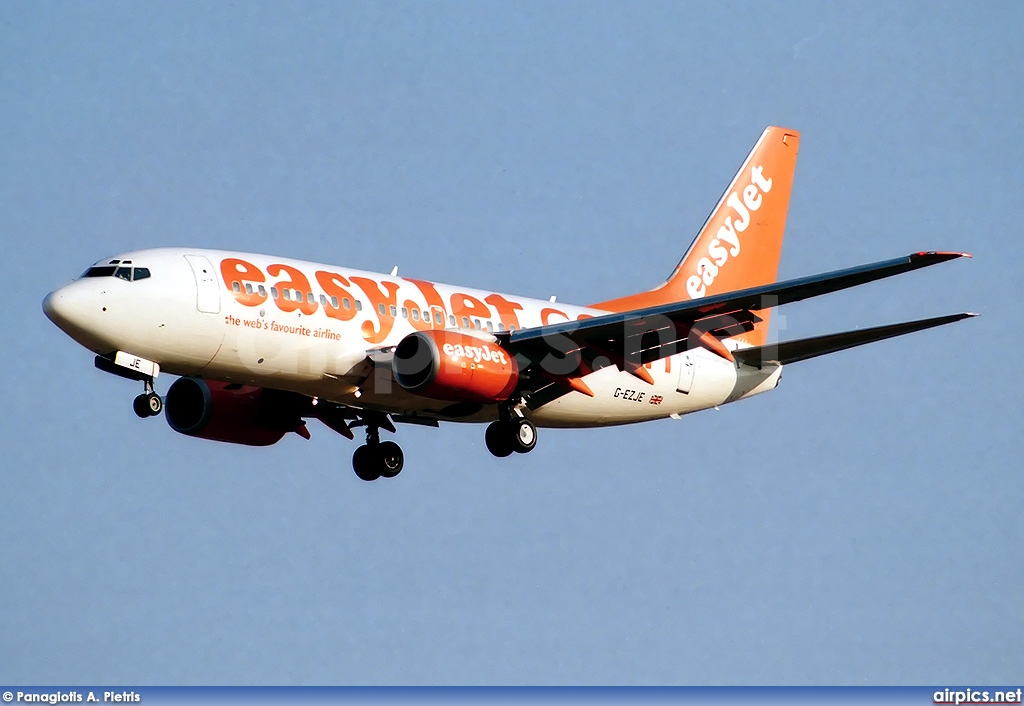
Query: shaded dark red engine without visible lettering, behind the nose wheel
pixel 222 412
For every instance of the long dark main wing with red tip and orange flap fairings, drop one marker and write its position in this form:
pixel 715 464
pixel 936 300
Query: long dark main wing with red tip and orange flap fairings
pixel 563 354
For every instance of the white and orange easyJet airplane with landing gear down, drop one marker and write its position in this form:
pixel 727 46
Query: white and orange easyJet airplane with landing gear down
pixel 263 344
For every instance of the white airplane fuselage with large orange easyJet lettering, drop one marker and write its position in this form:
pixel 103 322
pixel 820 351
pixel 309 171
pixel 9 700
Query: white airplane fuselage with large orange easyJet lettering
pixel 306 327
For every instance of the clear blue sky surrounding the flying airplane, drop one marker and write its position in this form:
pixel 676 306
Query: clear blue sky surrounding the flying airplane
pixel 863 524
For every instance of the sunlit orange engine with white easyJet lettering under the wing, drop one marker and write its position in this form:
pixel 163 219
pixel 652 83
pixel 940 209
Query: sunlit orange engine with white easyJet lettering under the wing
pixel 447 365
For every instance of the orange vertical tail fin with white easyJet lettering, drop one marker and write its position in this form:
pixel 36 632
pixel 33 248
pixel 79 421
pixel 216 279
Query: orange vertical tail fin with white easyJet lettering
pixel 741 243
